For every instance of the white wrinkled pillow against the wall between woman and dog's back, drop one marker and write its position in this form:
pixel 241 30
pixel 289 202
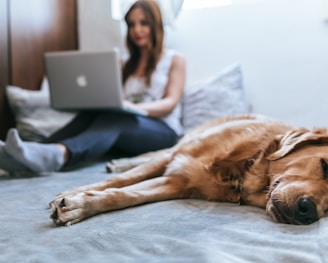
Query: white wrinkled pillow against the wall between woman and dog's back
pixel 217 97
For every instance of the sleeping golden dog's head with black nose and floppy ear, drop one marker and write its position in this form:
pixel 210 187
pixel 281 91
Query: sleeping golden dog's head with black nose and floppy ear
pixel 298 191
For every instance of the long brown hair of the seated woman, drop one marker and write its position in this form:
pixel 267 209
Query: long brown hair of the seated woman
pixel 154 18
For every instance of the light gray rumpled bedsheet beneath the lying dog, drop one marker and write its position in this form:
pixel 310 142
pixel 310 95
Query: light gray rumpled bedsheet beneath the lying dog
pixel 171 231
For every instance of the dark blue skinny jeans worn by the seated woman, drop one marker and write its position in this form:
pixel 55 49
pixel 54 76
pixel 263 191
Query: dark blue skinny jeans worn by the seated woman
pixel 91 135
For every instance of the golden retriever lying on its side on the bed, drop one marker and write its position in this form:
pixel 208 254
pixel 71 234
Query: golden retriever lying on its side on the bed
pixel 251 160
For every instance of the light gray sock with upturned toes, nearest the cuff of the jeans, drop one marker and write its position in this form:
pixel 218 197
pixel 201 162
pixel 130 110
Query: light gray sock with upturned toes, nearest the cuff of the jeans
pixel 38 157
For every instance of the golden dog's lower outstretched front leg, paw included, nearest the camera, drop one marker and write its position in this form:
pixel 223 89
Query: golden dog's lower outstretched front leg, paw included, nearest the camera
pixel 74 208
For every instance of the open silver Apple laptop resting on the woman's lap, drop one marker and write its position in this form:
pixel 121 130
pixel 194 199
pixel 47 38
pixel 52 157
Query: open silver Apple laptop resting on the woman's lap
pixel 85 80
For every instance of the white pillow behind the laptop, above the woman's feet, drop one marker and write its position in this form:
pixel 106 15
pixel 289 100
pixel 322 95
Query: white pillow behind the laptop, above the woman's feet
pixel 34 117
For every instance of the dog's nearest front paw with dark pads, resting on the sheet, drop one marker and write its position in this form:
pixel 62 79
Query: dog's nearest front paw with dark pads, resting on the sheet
pixel 70 209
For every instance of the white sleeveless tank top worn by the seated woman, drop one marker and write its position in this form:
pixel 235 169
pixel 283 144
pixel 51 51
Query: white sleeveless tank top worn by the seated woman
pixel 136 90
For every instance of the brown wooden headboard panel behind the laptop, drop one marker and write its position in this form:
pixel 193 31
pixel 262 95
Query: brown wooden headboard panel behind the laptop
pixel 24 37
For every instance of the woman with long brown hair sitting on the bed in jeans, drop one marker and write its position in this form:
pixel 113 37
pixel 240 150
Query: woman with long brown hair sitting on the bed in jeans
pixel 153 79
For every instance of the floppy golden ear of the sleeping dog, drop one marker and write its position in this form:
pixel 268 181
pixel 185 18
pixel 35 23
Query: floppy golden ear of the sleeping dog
pixel 297 138
